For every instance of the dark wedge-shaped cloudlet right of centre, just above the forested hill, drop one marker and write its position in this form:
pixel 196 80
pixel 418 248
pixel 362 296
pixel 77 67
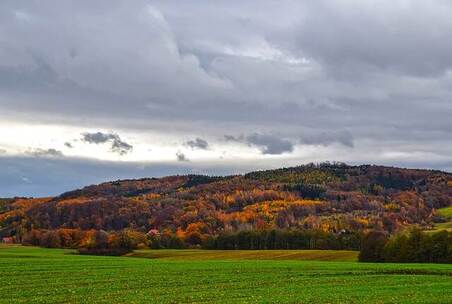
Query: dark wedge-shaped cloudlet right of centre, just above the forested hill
pixel 270 144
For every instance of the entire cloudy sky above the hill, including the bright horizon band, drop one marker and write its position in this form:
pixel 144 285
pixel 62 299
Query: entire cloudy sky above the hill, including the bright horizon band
pixel 93 91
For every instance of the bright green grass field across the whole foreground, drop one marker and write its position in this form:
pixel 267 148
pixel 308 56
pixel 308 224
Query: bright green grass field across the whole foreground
pixel 35 275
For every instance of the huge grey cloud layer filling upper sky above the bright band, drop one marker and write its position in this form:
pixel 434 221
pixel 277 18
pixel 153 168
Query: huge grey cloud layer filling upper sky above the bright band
pixel 240 71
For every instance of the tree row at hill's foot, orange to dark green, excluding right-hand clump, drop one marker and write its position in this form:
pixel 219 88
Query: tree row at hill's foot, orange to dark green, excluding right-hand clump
pixel 119 242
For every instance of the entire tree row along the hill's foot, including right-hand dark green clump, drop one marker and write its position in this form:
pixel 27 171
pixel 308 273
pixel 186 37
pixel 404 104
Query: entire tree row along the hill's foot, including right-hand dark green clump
pixel 413 246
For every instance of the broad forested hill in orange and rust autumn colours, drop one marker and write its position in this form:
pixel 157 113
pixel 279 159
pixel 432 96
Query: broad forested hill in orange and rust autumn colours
pixel 334 198
